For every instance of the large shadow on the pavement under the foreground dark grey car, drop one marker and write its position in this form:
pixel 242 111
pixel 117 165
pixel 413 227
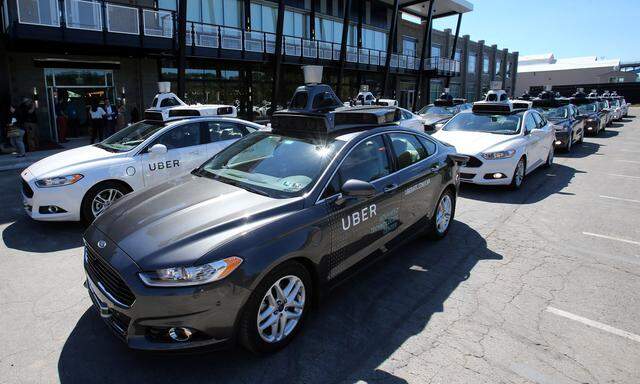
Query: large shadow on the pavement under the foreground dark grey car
pixel 356 328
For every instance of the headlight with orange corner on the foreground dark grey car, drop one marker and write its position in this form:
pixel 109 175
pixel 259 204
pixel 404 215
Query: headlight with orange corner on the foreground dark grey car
pixel 185 276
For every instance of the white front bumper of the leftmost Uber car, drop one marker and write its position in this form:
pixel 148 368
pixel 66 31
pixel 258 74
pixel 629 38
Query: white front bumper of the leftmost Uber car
pixel 36 201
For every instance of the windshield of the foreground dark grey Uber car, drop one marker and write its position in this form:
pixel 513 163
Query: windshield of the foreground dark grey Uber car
pixel 271 164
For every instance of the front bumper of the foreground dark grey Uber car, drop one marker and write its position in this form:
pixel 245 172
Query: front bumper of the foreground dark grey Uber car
pixel 210 311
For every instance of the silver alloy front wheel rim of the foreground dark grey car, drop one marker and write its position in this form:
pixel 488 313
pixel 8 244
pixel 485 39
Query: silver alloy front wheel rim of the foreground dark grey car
pixel 281 309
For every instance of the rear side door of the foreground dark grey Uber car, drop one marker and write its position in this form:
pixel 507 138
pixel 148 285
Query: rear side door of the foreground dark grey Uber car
pixel 416 170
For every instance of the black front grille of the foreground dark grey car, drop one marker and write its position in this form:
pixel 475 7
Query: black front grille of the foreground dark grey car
pixel 102 273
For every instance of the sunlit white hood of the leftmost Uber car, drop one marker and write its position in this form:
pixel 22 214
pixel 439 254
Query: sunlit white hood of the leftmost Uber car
pixel 55 164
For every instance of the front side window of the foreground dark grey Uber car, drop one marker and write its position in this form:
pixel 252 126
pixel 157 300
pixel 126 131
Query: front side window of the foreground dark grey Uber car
pixel 368 161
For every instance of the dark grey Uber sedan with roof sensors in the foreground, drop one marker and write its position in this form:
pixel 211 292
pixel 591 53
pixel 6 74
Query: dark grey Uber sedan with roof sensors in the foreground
pixel 241 247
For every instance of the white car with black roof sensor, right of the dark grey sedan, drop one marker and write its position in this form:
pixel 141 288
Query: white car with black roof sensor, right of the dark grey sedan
pixel 503 143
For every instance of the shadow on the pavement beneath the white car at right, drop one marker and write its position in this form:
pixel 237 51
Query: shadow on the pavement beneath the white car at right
pixel 538 185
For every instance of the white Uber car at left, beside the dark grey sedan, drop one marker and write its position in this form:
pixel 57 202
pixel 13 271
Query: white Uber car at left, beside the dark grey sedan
pixel 81 183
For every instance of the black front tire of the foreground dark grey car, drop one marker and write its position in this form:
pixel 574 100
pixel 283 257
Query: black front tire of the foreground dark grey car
pixel 249 335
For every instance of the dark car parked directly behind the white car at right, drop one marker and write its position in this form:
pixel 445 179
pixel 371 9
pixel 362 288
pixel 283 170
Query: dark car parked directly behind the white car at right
pixel 563 116
